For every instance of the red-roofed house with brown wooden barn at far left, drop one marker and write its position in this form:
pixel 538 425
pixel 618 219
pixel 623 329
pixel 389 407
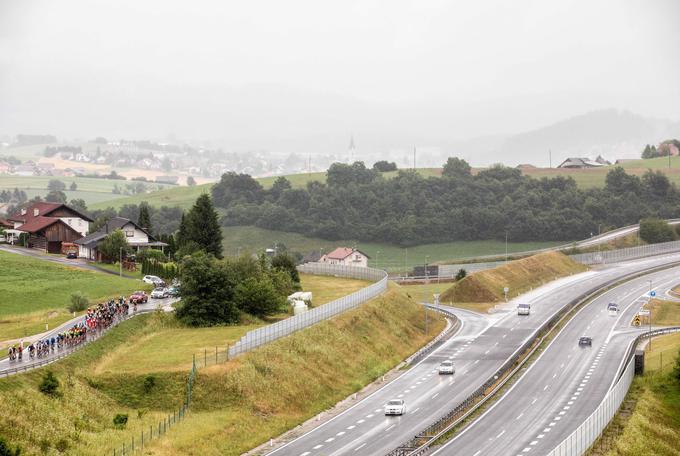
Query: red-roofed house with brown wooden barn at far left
pixel 49 225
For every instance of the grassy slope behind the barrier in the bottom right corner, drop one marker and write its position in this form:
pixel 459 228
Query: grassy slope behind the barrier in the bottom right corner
pixel 648 423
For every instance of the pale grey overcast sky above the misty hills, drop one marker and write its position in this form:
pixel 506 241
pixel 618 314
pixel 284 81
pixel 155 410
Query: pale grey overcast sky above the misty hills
pixel 275 70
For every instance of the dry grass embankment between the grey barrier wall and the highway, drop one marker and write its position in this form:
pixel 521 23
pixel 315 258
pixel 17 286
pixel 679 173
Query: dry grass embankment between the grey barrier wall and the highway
pixel 241 404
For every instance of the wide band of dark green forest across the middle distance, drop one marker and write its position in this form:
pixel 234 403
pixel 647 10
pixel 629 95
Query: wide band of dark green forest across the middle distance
pixel 358 203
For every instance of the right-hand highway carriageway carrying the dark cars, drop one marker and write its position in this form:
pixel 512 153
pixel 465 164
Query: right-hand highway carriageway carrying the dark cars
pixel 565 385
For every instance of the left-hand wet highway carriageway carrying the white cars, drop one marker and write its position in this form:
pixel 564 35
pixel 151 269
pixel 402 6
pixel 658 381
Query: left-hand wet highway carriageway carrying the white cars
pixel 479 349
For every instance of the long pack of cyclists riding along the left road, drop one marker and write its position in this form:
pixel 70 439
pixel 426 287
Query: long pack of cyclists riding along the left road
pixel 97 318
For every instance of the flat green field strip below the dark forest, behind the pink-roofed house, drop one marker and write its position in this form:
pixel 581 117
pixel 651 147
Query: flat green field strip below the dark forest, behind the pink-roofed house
pixel 238 239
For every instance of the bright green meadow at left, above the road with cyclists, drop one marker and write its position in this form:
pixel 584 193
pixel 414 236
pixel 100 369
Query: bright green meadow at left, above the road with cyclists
pixel 35 292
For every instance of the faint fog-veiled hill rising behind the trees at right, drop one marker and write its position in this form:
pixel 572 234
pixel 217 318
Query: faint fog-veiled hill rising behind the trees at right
pixel 611 133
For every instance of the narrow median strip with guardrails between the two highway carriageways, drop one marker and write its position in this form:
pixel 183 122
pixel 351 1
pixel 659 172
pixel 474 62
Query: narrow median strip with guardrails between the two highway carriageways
pixel 420 444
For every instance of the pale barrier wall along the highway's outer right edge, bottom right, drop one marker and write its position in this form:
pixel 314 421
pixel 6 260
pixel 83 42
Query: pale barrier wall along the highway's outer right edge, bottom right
pixel 579 441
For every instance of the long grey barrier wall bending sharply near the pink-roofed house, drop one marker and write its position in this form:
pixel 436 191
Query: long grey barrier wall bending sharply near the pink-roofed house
pixel 260 336
